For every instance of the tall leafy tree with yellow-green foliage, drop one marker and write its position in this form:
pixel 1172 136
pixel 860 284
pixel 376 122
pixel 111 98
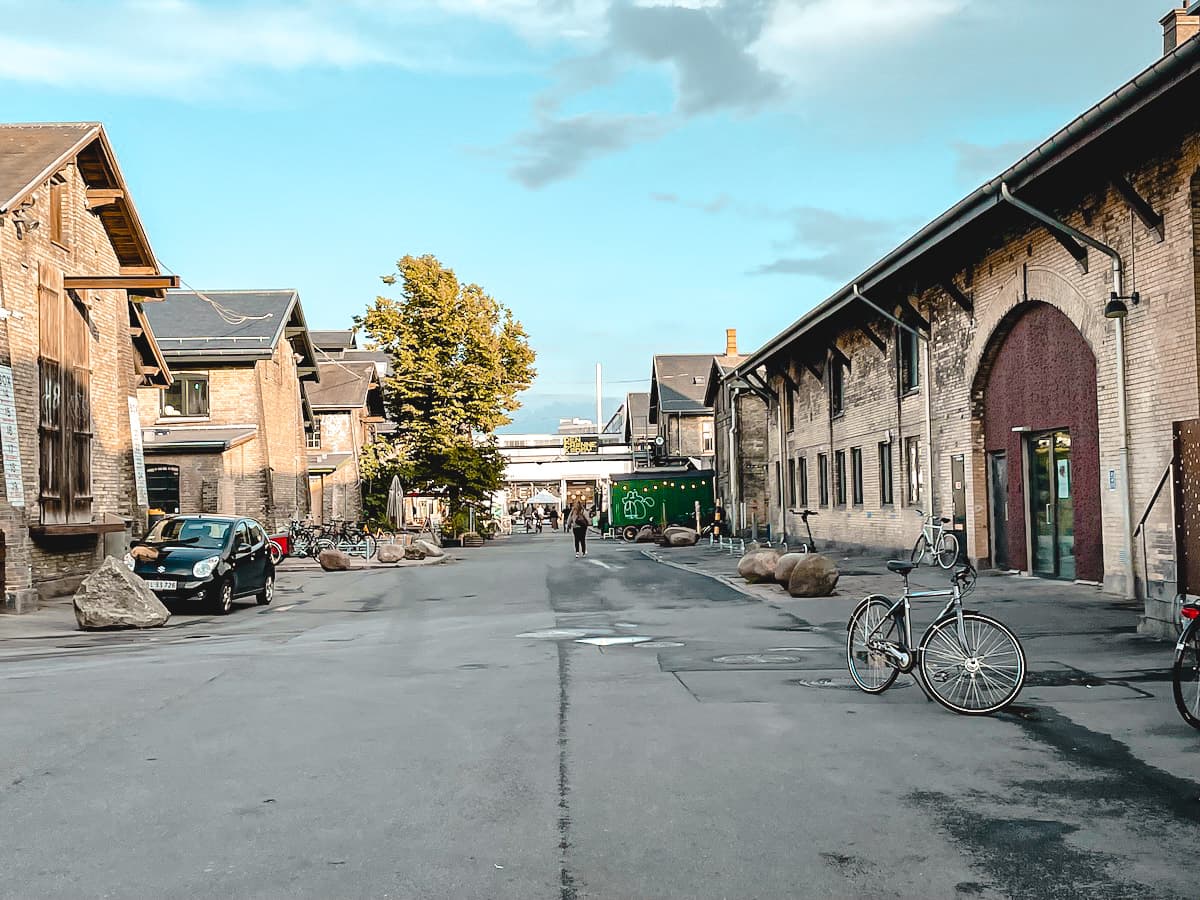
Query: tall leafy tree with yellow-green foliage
pixel 459 363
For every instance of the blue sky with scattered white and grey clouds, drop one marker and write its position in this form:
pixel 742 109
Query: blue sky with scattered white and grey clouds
pixel 629 177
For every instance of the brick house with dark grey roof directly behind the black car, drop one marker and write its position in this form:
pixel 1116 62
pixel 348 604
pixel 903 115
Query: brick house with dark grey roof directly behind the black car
pixel 229 436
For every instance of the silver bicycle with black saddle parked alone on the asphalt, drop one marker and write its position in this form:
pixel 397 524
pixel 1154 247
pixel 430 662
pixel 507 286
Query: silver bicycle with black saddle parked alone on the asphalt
pixel 969 663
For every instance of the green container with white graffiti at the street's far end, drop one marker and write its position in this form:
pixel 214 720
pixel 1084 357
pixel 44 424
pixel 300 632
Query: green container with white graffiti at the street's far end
pixel 662 497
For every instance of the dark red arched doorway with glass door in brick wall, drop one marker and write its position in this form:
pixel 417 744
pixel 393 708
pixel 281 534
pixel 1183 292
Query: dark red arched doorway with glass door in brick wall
pixel 1042 442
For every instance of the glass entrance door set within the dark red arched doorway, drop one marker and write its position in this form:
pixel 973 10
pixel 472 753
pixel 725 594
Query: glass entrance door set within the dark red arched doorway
pixel 1053 511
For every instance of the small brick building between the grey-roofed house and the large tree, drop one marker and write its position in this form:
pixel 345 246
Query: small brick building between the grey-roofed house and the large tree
pixel 349 410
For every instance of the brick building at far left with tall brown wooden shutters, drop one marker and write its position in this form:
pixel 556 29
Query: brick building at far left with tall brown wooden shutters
pixel 76 268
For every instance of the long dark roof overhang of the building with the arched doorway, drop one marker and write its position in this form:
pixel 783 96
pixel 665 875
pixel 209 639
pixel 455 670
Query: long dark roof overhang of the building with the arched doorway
pixel 1084 134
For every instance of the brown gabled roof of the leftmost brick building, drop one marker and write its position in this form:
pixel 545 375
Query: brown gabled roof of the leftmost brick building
pixel 32 153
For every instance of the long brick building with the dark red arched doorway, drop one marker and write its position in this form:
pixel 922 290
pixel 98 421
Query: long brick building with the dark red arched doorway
pixel 1023 364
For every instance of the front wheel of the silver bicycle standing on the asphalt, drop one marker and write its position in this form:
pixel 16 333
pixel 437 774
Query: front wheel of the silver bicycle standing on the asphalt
pixel 977 673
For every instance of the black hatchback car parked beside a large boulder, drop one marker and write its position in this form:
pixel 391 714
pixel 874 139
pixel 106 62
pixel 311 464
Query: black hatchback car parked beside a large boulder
pixel 212 559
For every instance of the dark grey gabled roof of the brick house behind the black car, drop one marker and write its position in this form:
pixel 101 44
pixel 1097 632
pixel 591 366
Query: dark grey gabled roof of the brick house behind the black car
pixel 224 327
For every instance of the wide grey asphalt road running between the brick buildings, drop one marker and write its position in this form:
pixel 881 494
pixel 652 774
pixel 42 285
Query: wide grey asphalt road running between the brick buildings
pixel 428 734
